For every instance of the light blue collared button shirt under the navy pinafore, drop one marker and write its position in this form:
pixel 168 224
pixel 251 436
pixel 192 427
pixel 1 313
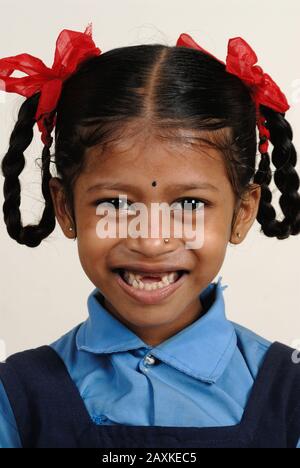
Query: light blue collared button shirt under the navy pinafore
pixel 207 370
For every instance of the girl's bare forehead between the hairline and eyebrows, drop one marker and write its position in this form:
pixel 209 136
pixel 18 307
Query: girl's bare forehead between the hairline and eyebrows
pixel 147 156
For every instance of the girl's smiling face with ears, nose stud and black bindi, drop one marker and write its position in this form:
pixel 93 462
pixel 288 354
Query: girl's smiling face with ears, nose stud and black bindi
pixel 136 163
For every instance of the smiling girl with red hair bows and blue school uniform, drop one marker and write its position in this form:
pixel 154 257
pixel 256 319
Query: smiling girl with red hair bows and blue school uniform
pixel 157 363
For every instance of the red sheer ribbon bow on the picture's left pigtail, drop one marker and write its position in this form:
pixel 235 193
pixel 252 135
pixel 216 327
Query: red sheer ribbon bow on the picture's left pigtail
pixel 72 48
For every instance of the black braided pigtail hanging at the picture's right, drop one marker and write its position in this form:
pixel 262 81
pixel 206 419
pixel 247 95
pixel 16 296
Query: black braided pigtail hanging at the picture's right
pixel 275 127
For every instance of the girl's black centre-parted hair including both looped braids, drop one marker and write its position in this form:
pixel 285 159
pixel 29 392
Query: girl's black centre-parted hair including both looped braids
pixel 166 88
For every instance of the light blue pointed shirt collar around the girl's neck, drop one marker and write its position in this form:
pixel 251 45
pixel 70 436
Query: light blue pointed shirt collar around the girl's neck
pixel 202 349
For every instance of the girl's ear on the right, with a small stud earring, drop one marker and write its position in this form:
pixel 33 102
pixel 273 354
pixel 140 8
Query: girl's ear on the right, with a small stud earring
pixel 246 213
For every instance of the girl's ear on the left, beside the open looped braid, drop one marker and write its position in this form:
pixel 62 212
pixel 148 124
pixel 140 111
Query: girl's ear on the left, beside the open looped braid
pixel 61 207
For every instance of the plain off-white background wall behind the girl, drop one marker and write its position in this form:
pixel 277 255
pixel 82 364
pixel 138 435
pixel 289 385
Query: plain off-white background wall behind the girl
pixel 43 291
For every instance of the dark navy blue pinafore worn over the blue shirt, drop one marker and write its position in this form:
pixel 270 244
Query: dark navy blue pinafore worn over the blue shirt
pixel 50 412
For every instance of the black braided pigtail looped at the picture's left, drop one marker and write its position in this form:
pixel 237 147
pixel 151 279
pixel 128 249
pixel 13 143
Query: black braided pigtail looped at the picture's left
pixel 12 165
